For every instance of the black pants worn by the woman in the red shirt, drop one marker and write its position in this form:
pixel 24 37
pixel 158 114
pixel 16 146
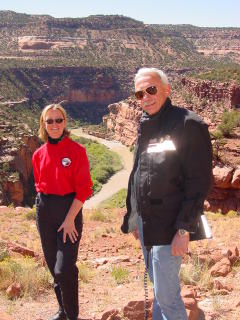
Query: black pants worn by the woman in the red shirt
pixel 61 257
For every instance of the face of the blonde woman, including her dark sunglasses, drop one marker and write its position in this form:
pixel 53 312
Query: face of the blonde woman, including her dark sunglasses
pixel 53 128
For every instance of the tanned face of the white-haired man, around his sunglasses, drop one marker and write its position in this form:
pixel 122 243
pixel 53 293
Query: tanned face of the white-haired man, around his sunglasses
pixel 152 103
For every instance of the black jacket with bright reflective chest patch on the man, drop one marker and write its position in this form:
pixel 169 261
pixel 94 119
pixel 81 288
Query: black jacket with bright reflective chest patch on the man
pixel 171 175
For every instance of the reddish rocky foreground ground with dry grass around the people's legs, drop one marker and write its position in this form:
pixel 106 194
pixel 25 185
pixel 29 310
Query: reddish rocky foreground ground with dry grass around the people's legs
pixel 210 276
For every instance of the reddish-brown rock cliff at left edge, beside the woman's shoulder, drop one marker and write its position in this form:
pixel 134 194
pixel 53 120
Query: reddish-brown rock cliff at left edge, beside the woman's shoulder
pixel 16 148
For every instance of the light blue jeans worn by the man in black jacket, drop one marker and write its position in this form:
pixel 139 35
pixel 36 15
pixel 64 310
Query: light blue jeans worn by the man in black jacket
pixel 163 271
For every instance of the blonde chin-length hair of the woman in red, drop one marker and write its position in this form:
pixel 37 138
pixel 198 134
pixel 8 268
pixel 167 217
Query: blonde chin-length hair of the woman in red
pixel 42 132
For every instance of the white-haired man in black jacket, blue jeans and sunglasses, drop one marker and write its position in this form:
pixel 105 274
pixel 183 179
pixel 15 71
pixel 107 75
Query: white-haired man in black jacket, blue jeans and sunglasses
pixel 170 179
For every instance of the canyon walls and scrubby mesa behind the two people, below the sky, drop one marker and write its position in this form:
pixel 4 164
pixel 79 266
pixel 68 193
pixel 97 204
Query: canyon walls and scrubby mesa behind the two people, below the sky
pixel 88 64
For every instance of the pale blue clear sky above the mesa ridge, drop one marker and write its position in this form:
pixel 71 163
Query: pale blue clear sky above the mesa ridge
pixel 204 13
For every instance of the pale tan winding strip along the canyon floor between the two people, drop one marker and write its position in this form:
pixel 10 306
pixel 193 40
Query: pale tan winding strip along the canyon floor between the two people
pixel 118 180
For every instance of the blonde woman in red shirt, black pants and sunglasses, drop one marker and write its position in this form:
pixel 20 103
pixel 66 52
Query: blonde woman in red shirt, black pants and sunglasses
pixel 63 183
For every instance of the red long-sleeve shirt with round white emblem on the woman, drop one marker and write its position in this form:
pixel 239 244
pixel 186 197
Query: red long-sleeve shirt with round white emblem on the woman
pixel 62 168
